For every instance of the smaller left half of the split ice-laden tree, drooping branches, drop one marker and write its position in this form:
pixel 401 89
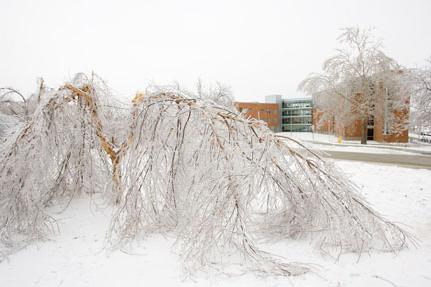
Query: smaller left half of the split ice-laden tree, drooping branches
pixel 60 152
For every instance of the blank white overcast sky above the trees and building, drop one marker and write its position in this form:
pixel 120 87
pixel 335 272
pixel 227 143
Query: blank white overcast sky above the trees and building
pixel 256 47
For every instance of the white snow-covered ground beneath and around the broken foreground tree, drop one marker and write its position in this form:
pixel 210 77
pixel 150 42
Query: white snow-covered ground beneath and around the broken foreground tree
pixel 77 256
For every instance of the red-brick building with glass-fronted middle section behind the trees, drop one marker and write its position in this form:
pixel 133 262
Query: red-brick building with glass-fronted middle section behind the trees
pixel 301 115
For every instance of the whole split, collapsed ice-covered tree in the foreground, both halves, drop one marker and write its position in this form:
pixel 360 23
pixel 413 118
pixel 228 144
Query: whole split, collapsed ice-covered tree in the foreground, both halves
pixel 191 167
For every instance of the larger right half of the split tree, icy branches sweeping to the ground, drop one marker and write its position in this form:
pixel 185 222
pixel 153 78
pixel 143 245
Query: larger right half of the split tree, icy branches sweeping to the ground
pixel 217 179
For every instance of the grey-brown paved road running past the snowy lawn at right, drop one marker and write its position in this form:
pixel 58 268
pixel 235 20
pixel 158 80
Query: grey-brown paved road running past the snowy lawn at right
pixel 414 161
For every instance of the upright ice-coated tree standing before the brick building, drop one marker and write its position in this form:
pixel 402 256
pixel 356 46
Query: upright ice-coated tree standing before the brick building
pixel 349 83
